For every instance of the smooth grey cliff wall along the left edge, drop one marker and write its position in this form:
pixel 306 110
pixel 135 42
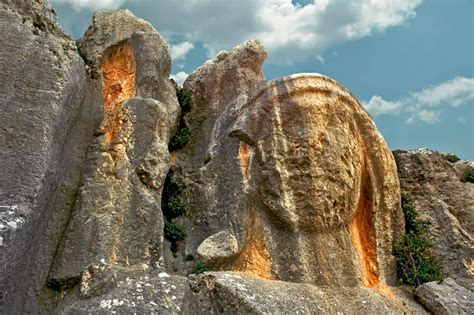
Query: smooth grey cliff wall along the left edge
pixel 47 112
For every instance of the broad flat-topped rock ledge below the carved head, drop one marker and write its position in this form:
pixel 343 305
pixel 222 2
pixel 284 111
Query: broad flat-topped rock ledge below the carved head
pixel 230 293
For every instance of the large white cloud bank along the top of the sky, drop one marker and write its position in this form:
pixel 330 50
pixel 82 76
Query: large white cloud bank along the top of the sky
pixel 289 31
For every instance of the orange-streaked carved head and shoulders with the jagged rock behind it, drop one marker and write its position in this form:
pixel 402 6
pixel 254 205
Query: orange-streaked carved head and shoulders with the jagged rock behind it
pixel 298 173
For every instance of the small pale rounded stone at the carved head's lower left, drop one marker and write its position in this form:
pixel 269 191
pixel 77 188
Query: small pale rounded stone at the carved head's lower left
pixel 217 248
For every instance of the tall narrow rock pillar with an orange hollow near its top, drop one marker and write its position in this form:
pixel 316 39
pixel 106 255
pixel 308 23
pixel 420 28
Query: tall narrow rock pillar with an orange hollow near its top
pixel 117 217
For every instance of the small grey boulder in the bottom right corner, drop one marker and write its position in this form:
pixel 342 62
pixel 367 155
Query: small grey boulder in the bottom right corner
pixel 446 297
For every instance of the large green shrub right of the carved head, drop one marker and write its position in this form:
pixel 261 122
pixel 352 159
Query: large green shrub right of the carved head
pixel 415 264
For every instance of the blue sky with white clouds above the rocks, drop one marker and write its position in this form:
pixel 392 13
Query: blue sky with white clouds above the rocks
pixel 411 62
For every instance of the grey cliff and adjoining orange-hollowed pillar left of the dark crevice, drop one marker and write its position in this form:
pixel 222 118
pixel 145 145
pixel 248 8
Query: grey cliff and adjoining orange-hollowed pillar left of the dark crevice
pixel 63 210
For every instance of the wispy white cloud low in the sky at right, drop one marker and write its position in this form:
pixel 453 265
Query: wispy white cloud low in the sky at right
pixel 426 104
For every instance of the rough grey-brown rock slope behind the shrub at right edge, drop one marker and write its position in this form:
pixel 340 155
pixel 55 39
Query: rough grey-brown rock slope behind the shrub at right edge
pixel 448 203
